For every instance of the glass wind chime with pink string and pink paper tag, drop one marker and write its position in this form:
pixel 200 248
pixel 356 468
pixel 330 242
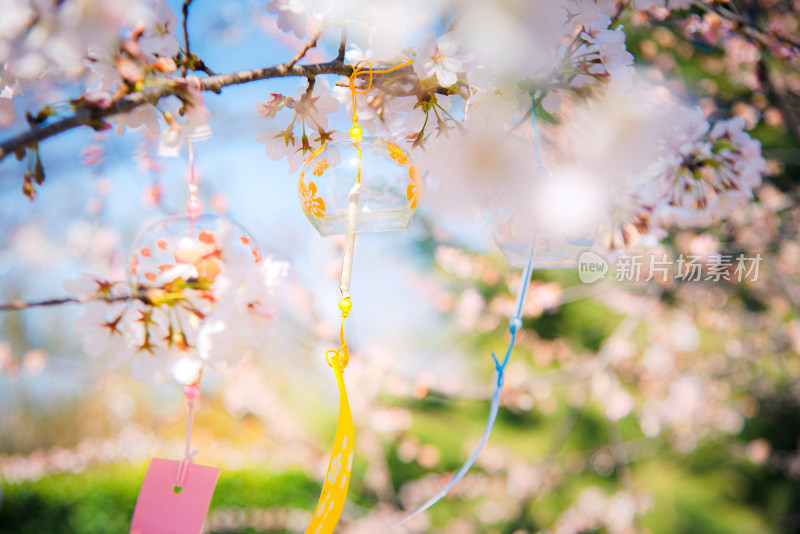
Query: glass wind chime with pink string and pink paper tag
pixel 175 495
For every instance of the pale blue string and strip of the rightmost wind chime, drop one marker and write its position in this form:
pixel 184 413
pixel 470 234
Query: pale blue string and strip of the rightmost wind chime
pixel 515 323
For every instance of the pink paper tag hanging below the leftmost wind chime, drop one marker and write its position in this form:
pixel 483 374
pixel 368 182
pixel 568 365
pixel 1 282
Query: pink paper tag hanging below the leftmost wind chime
pixel 159 510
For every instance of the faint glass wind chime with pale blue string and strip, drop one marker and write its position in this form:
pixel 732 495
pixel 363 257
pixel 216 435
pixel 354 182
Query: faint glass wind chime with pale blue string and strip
pixel 531 243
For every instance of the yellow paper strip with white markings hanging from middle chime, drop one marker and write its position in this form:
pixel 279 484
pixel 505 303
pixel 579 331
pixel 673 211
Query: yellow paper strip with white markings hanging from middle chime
pixel 337 480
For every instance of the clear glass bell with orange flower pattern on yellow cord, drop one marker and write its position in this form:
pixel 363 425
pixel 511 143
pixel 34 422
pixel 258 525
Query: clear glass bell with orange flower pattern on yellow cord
pixel 387 196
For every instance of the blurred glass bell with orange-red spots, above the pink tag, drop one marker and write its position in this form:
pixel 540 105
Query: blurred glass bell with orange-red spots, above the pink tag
pixel 184 247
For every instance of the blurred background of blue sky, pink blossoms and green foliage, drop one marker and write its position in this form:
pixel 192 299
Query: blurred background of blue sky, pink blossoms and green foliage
pixel 628 407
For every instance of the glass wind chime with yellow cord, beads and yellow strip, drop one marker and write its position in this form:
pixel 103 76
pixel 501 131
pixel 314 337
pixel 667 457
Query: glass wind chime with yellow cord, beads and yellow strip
pixel 360 184
